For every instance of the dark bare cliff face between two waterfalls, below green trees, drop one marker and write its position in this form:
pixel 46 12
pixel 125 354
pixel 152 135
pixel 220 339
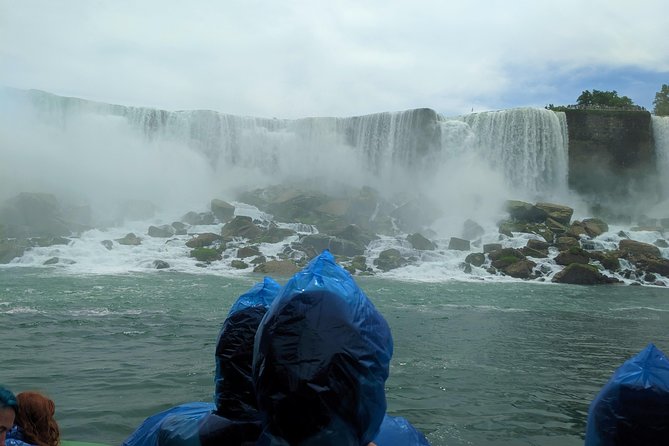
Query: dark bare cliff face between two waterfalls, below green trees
pixel 611 153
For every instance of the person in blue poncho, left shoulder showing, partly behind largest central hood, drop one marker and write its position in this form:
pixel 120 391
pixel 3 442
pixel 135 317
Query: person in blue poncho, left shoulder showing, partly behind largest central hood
pixel 233 418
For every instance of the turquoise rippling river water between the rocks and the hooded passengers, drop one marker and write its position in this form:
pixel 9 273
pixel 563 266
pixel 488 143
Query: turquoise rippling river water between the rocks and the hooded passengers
pixel 474 364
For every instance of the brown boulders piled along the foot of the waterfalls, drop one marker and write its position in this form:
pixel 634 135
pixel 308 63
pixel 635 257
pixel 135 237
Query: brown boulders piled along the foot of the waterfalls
pixel 300 224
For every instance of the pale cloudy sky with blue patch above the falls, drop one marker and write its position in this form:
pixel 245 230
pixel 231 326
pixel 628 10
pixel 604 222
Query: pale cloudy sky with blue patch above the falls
pixel 299 58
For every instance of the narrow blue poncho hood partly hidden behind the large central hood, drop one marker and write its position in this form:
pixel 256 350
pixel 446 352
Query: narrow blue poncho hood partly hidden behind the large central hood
pixel 234 395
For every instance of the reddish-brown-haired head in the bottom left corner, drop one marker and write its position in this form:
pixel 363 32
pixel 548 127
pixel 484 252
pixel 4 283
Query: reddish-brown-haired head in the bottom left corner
pixel 35 417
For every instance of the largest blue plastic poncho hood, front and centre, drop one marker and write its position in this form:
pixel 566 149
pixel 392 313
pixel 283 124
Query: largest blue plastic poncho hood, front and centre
pixel 321 359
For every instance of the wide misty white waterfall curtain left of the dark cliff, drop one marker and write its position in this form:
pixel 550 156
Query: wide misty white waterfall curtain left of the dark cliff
pixel 392 151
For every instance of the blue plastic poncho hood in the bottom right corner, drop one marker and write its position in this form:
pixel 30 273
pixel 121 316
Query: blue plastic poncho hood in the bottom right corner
pixel 633 407
